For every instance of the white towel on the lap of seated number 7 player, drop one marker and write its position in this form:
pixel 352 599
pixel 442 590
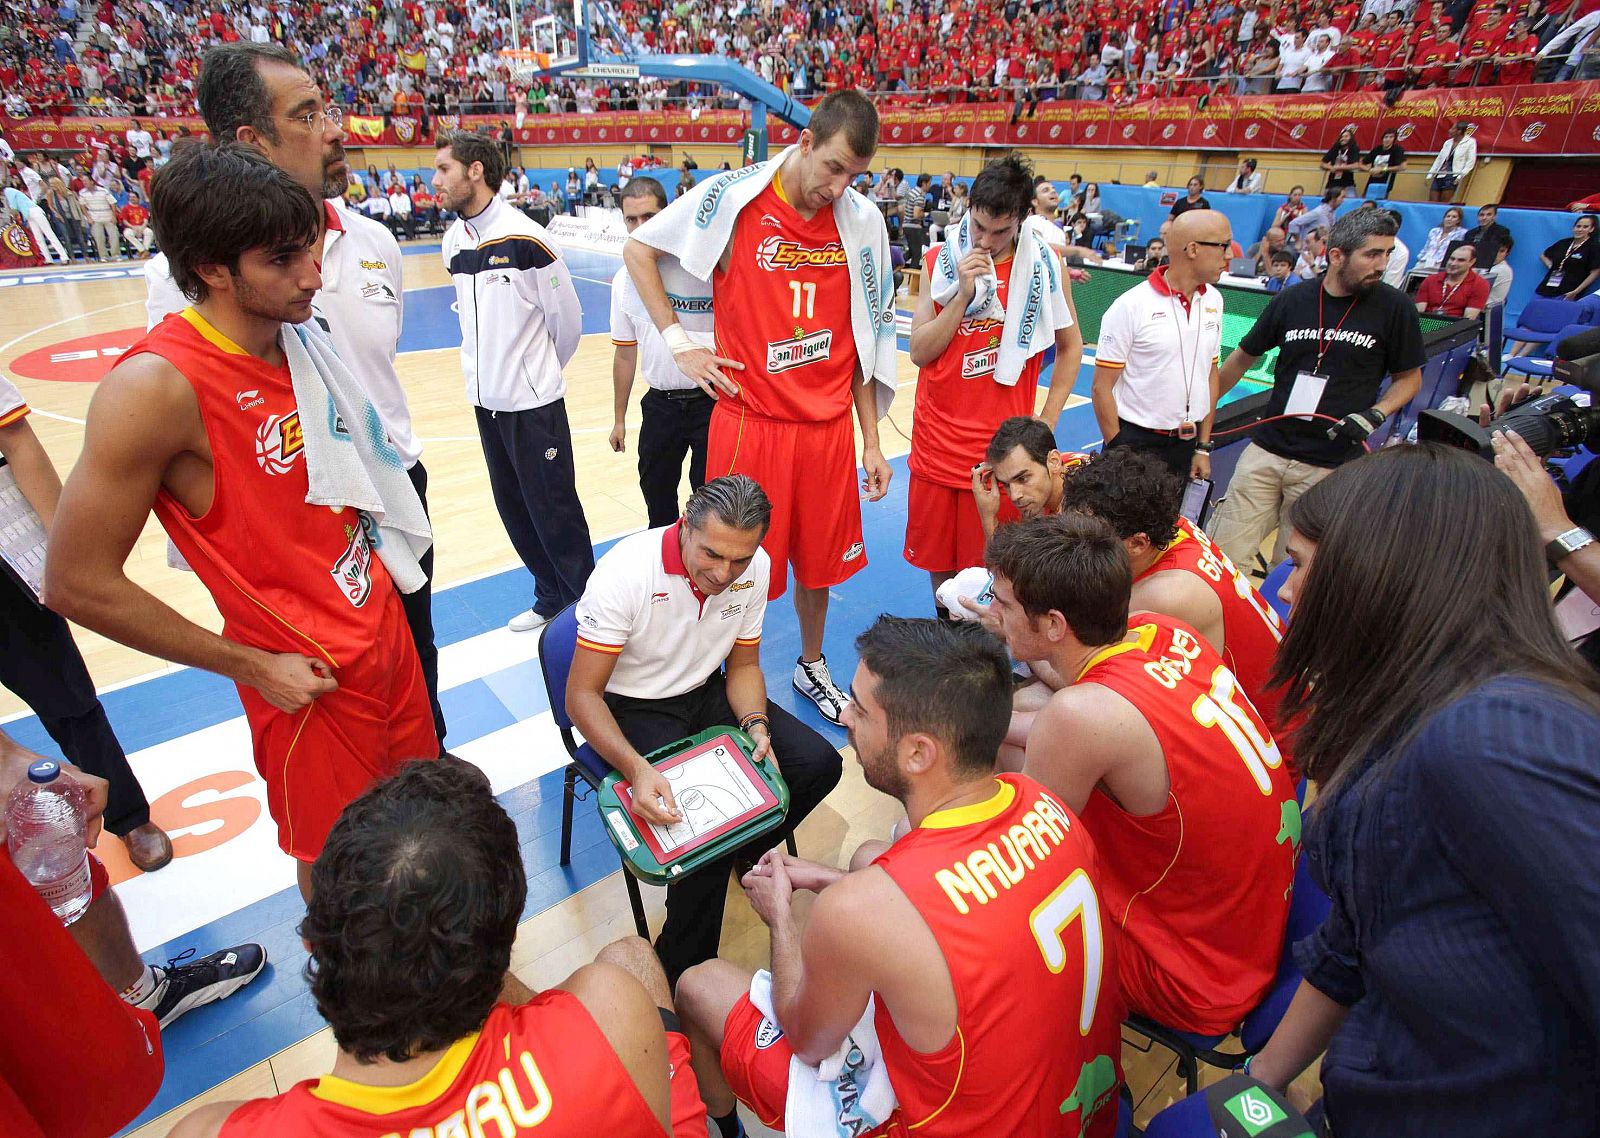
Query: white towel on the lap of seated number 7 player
pixel 844 1096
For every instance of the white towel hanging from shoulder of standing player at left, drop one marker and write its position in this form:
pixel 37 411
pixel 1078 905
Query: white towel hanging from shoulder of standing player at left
pixel 350 460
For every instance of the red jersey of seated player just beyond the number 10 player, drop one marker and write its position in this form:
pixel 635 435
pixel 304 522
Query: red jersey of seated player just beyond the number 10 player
pixel 1252 630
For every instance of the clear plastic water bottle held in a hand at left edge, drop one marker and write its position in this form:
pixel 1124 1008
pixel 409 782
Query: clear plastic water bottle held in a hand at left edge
pixel 46 833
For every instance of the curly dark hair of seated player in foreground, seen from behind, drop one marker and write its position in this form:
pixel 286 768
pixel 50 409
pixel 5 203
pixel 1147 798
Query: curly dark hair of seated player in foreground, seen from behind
pixel 414 912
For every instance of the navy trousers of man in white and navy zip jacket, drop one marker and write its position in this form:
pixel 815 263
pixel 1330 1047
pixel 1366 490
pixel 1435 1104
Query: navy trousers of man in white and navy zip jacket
pixel 530 459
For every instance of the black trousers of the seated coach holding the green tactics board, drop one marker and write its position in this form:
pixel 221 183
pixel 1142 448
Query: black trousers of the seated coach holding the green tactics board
pixel 809 764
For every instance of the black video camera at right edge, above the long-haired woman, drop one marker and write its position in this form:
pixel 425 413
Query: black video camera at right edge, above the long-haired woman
pixel 1548 423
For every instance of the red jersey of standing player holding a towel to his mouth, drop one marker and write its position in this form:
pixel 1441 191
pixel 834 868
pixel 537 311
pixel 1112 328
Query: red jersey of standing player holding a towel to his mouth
pixel 959 404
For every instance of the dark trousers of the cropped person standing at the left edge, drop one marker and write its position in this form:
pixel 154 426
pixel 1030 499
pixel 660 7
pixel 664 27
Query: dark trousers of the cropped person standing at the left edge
pixel 42 667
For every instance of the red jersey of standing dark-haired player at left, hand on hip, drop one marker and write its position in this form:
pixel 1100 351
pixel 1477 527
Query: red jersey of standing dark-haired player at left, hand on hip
pixel 286 575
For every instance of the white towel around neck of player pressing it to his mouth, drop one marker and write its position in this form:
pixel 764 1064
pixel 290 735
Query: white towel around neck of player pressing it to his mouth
pixel 1039 300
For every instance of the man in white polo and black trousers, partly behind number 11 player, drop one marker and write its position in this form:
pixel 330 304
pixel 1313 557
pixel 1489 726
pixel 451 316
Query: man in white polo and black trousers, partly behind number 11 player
pixel 676 412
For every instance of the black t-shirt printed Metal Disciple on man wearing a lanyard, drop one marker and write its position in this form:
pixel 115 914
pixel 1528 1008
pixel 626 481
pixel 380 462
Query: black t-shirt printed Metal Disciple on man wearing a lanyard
pixel 1369 337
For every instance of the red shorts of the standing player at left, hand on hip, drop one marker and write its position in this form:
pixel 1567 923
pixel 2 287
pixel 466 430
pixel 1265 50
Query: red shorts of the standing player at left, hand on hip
pixel 319 759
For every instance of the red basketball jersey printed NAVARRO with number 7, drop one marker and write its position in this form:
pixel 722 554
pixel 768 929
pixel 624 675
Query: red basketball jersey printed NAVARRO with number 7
pixel 1009 891
